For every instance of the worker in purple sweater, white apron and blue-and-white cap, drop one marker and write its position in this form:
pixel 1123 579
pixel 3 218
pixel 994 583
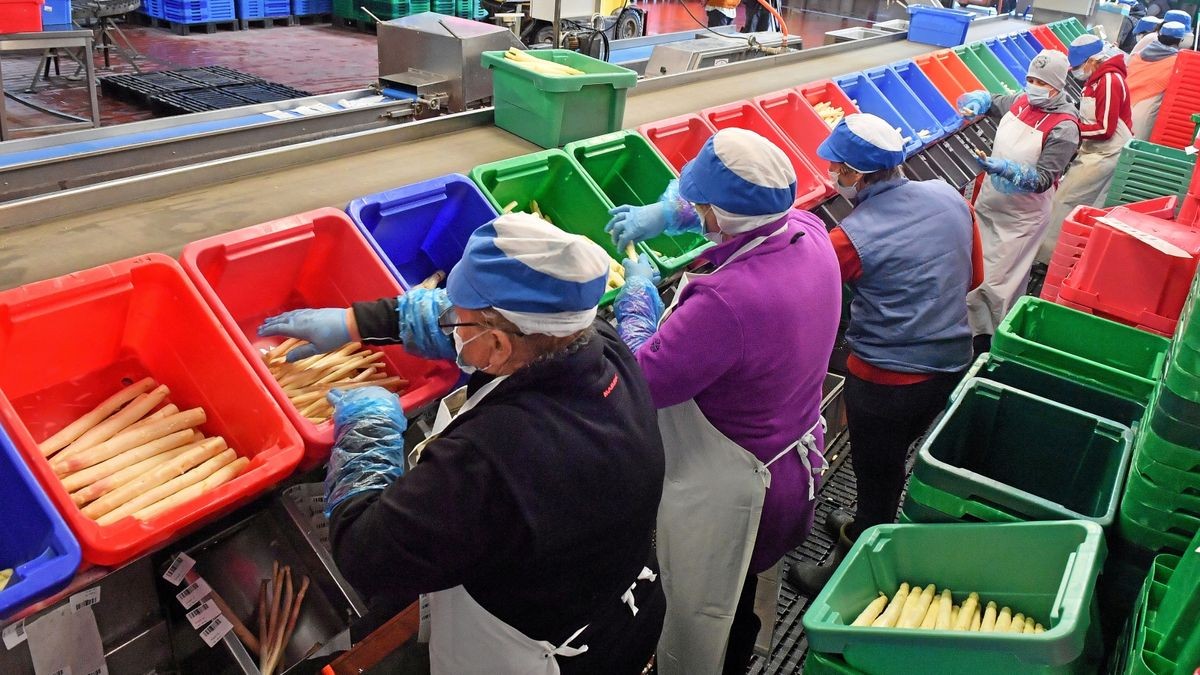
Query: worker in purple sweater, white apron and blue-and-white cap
pixel 736 368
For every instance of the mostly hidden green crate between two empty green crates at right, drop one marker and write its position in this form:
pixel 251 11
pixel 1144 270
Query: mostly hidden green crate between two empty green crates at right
pixel 1054 387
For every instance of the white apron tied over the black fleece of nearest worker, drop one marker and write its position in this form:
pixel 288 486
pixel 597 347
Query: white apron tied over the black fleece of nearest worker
pixel 465 638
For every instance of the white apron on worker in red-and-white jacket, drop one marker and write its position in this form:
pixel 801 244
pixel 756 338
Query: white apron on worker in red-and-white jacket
pixel 1088 178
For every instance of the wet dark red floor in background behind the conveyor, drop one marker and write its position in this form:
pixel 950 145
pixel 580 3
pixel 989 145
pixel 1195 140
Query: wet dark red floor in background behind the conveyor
pixel 322 59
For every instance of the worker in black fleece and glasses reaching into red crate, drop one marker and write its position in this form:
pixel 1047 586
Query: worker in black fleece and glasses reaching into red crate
pixel 529 518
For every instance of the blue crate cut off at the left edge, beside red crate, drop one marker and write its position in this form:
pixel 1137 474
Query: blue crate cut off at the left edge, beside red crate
pixel 37 543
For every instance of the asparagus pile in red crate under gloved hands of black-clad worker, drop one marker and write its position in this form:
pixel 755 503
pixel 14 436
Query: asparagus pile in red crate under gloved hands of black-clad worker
pixel 308 381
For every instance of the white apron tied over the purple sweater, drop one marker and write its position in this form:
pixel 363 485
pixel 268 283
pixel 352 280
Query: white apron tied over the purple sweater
pixel 709 519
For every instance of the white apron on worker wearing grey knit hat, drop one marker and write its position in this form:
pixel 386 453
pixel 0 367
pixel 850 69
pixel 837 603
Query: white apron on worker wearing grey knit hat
pixel 1011 225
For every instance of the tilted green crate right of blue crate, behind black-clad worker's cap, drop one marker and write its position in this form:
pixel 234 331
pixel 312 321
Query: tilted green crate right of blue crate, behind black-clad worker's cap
pixel 565 194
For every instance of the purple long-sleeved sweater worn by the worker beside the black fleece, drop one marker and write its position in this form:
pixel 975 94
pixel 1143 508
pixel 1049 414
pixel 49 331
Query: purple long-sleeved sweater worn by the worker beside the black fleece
pixel 752 345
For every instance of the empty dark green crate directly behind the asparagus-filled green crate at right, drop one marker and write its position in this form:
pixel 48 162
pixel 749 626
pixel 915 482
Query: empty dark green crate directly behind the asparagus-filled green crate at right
pixel 1030 457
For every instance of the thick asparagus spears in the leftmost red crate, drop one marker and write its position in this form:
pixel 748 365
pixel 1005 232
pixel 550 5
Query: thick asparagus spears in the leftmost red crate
pixel 129 457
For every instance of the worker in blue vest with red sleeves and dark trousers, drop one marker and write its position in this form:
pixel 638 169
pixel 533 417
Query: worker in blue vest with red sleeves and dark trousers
pixel 911 252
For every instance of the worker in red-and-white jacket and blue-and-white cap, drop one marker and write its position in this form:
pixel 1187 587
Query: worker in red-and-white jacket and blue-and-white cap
pixel 1106 126
